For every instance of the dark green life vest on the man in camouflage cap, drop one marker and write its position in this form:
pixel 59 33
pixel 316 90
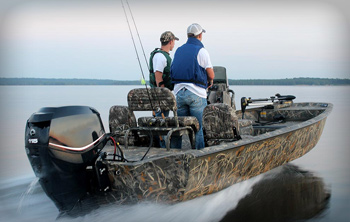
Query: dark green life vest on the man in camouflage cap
pixel 166 72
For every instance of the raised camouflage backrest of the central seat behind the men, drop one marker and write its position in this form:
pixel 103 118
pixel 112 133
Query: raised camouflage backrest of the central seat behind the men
pixel 151 99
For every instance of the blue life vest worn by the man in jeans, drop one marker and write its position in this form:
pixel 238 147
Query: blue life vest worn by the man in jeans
pixel 185 67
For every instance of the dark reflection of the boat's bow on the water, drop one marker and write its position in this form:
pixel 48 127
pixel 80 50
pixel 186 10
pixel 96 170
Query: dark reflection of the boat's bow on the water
pixel 288 195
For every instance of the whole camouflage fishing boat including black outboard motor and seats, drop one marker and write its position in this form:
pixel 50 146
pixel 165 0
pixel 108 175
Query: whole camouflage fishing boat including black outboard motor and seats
pixel 75 158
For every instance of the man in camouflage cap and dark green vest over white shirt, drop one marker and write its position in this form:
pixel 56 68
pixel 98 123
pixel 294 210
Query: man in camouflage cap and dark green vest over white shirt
pixel 160 63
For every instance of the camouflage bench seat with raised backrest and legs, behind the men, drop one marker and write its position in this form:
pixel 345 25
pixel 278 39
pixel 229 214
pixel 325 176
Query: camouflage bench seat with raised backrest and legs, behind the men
pixel 153 99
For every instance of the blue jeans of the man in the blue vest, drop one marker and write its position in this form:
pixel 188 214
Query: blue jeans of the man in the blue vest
pixel 189 104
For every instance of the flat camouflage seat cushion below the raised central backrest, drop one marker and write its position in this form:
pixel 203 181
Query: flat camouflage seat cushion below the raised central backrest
pixel 169 122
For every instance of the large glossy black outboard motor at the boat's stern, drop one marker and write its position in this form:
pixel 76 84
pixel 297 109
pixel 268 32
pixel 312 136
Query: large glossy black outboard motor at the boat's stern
pixel 62 144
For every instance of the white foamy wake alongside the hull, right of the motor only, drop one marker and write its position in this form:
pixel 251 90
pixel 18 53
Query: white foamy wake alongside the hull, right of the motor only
pixel 206 208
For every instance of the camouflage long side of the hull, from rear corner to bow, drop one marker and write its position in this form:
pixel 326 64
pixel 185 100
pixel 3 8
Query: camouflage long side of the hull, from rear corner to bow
pixel 217 171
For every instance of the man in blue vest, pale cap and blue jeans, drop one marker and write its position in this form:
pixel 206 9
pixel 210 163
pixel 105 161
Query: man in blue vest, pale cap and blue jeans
pixel 192 73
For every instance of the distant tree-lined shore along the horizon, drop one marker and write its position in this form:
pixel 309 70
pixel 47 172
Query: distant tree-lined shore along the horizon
pixel 292 81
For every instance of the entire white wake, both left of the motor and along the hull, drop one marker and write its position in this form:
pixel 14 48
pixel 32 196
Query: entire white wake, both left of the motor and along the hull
pixel 33 204
